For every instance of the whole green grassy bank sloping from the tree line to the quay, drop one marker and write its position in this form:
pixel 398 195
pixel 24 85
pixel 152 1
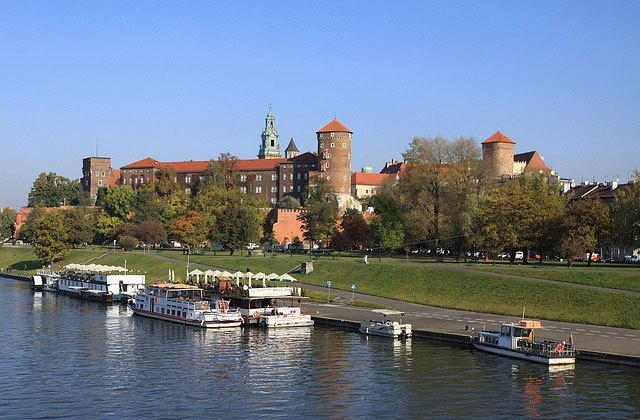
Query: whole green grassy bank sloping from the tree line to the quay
pixel 468 287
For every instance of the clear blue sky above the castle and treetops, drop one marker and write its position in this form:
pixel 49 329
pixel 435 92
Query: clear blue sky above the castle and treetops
pixel 189 80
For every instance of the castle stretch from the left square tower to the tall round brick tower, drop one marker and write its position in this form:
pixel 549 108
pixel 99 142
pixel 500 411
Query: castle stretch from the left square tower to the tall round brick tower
pixel 270 176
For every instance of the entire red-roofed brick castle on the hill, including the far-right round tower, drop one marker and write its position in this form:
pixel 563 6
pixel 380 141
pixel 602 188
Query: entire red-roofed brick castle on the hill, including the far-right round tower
pixel 274 177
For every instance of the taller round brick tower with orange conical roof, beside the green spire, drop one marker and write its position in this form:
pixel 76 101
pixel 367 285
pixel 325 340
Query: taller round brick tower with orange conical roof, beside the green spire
pixel 334 156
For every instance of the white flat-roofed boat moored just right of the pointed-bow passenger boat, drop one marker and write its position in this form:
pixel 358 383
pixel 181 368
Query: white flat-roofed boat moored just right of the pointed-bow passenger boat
pixel 269 307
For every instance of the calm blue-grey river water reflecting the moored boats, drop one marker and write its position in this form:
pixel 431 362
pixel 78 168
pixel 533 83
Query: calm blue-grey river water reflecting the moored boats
pixel 61 358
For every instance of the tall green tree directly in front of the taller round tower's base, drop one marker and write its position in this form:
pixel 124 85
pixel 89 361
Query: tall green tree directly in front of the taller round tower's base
pixel 320 213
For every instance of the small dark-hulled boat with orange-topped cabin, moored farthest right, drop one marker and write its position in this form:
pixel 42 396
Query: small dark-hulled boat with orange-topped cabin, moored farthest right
pixel 517 340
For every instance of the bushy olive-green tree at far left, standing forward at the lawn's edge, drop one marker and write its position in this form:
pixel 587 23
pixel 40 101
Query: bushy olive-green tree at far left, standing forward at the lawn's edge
pixel 51 237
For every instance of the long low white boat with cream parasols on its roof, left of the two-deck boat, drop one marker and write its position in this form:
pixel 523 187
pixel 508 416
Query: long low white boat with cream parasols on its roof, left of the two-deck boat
pixel 99 282
